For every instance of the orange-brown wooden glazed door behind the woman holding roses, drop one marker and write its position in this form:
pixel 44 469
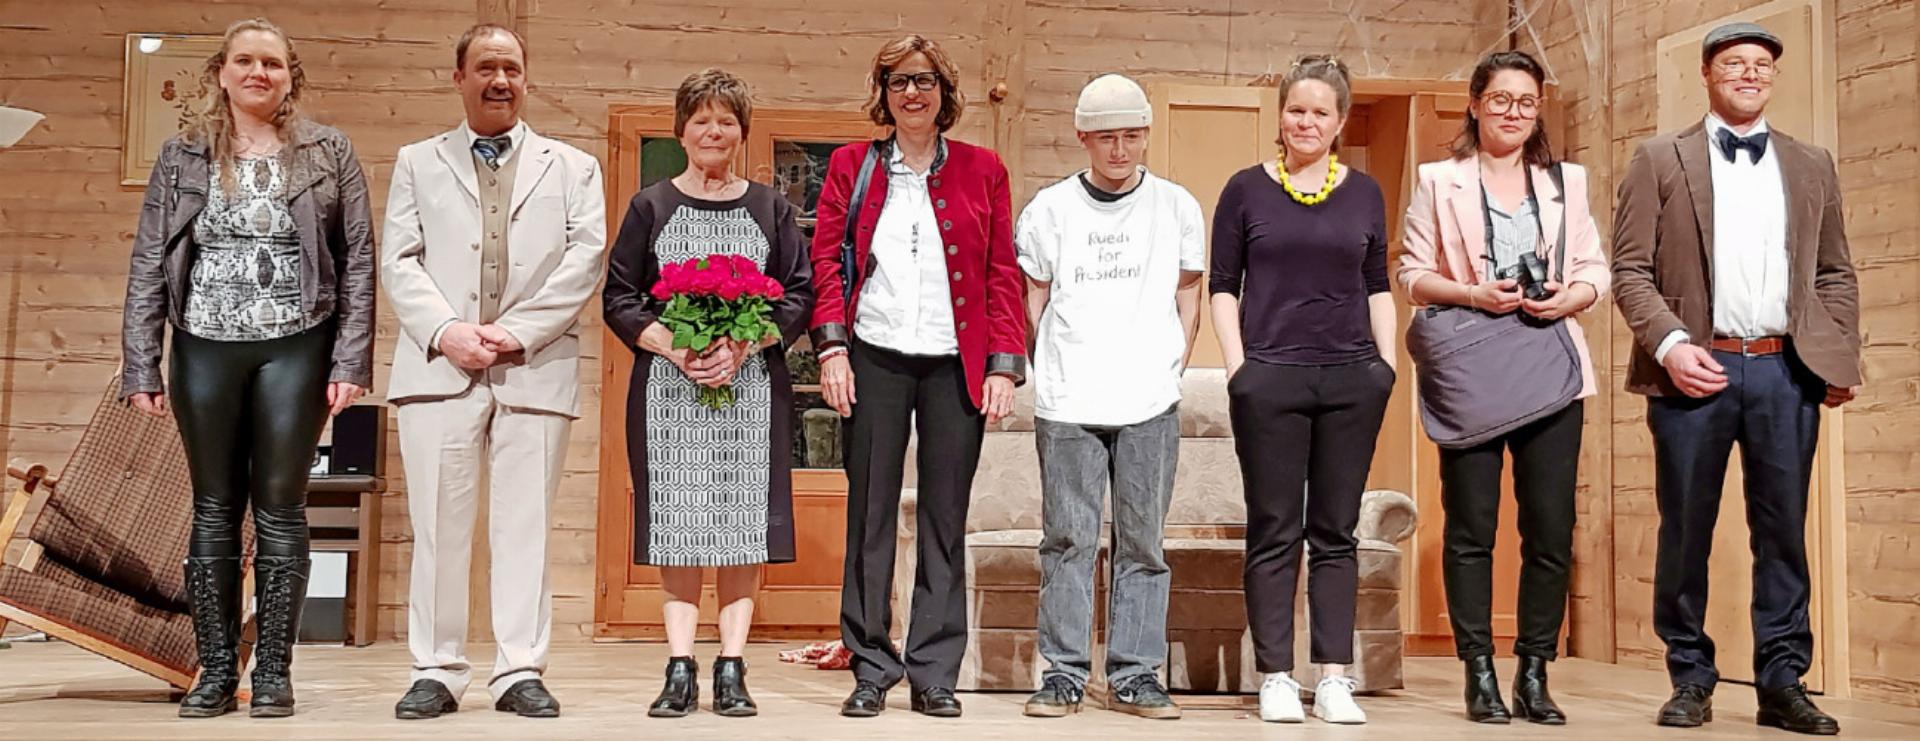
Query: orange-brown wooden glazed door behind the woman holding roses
pixel 786 151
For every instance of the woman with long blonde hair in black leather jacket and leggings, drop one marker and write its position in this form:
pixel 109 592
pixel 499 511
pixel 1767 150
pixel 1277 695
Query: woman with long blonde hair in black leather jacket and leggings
pixel 256 247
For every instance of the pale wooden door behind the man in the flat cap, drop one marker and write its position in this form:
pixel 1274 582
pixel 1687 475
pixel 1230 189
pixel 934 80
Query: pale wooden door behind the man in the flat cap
pixel 1802 107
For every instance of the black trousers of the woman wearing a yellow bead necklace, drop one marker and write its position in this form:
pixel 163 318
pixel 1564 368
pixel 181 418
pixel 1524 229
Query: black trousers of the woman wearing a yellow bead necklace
pixel 1305 439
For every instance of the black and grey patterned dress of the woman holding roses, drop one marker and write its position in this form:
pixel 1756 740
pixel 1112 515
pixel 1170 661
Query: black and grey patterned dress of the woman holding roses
pixel 711 489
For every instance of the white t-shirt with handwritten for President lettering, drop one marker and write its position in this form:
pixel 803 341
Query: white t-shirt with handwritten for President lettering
pixel 1111 343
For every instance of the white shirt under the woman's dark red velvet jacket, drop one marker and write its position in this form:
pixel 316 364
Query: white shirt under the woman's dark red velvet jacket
pixel 907 304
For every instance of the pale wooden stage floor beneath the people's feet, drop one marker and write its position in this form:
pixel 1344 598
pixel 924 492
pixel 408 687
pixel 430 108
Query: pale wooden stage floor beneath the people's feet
pixel 59 692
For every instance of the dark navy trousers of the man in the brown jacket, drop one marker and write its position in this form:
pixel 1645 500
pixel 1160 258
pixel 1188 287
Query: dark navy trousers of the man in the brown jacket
pixel 1771 408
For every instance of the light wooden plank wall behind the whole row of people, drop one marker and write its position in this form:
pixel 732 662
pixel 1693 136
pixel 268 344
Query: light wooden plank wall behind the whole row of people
pixel 381 70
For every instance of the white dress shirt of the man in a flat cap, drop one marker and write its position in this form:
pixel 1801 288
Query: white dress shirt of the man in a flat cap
pixel 1750 243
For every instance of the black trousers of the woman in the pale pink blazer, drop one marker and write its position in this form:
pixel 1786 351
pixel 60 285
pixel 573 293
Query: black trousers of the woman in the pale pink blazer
pixel 1547 458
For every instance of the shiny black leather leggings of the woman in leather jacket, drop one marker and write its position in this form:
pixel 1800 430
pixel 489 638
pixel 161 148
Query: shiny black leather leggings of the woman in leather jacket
pixel 251 418
